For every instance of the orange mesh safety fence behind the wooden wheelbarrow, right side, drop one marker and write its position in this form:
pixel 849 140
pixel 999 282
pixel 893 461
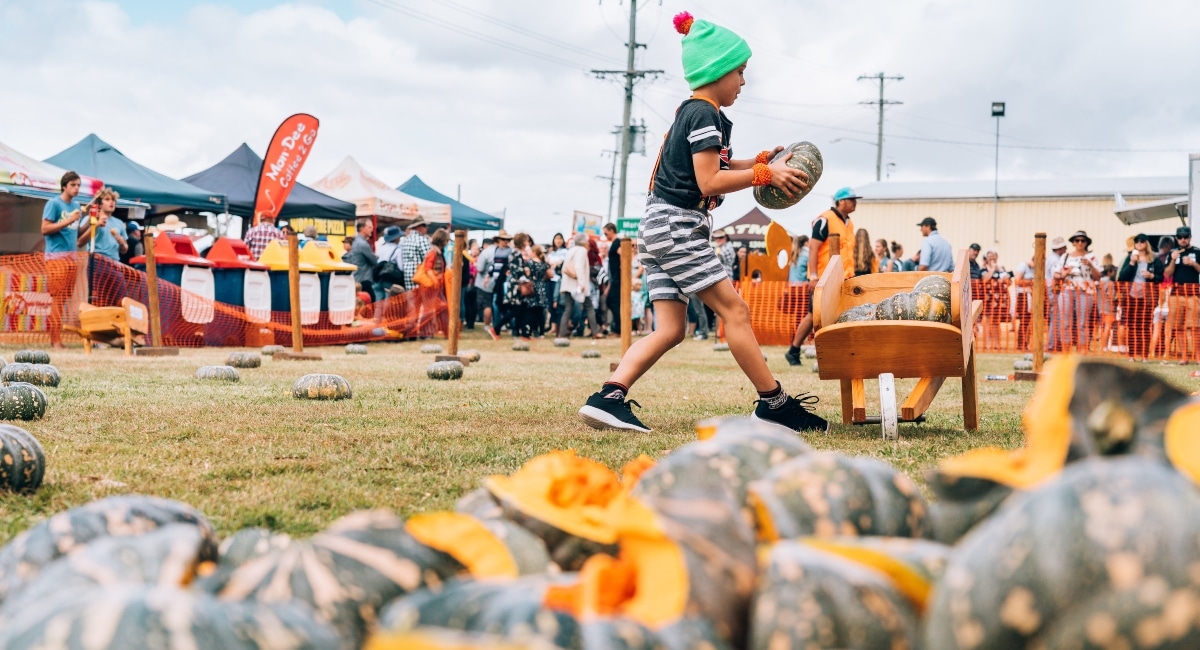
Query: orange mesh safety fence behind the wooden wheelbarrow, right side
pixel 1136 321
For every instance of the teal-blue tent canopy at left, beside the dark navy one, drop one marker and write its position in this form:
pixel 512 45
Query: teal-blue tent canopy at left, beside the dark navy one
pixel 93 157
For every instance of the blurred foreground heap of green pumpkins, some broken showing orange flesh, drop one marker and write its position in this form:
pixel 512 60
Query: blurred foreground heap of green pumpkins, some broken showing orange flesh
pixel 1087 538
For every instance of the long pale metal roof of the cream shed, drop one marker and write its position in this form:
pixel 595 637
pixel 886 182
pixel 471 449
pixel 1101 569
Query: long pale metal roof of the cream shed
pixel 1145 186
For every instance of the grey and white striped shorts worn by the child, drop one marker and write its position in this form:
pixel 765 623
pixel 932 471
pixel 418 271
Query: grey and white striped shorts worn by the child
pixel 675 251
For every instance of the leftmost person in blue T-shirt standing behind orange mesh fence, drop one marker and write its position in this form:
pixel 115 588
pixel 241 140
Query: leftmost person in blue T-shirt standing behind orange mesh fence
pixel 61 219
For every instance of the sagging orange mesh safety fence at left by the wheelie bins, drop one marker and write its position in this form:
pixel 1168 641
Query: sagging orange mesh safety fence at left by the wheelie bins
pixel 41 297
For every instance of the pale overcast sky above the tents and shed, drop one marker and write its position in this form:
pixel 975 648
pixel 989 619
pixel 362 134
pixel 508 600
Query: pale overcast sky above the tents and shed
pixel 497 97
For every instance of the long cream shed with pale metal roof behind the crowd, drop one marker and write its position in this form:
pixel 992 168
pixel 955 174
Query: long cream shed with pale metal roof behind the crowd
pixel 965 213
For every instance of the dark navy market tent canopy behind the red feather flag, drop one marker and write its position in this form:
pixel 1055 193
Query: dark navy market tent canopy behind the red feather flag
pixel 237 178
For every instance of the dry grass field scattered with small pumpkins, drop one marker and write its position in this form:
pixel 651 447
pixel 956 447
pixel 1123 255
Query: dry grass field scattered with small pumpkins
pixel 248 454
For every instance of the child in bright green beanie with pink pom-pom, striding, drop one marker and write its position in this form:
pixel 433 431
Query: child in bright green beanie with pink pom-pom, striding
pixel 694 172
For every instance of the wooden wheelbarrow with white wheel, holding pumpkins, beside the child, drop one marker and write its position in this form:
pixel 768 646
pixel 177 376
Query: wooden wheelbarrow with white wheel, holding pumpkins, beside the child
pixel 890 350
